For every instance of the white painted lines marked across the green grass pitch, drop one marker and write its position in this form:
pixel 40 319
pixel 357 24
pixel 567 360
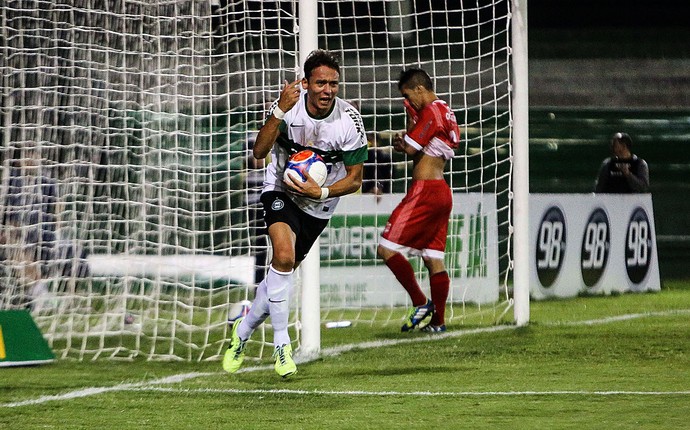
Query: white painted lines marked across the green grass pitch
pixel 154 385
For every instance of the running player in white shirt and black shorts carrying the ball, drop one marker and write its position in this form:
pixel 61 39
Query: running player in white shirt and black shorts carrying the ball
pixel 307 115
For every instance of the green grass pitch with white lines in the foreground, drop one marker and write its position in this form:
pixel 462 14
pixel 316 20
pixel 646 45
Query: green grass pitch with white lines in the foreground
pixel 591 362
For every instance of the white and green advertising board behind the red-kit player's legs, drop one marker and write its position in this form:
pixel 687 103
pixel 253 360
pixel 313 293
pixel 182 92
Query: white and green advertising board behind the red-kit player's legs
pixel 352 275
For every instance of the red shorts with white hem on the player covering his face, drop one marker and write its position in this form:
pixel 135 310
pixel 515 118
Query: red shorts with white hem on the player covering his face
pixel 419 224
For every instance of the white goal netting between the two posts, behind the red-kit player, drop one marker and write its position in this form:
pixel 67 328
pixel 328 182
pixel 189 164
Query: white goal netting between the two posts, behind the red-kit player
pixel 464 47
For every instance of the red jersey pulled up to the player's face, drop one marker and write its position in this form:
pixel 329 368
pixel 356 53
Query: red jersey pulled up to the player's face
pixel 435 124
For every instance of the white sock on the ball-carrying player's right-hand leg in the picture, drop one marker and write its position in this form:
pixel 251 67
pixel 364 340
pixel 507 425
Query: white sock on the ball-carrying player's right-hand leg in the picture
pixel 279 285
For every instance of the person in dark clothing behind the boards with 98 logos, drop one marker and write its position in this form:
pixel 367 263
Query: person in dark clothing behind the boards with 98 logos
pixel 623 171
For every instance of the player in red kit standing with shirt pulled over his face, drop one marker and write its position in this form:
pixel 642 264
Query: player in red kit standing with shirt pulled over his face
pixel 419 224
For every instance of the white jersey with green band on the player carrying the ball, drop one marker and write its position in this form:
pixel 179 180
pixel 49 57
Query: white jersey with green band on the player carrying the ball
pixel 338 137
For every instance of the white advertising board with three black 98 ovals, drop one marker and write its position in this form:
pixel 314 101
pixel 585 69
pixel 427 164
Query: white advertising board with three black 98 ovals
pixel 592 244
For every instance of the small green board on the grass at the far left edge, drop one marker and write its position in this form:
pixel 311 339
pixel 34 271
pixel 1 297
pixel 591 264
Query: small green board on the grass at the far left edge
pixel 21 342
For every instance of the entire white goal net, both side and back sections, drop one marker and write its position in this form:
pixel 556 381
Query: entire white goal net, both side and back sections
pixel 129 194
